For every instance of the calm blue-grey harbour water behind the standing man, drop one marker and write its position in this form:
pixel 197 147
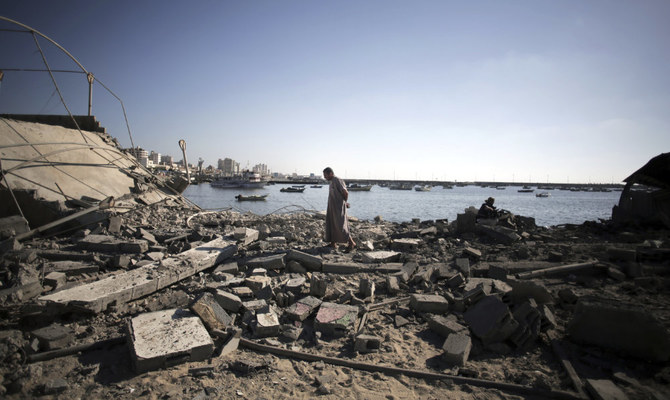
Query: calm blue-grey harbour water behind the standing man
pixel 400 206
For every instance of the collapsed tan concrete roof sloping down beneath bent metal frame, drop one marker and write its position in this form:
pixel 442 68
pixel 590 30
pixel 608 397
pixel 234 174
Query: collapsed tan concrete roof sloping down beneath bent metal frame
pixel 51 169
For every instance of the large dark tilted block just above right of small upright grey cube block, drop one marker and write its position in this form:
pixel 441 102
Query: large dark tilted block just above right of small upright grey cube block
pixel 490 320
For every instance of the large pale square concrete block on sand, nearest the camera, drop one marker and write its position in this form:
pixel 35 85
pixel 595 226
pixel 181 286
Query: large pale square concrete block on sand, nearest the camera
pixel 164 338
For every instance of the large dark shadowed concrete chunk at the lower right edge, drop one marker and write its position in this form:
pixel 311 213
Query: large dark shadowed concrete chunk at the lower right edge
pixel 621 327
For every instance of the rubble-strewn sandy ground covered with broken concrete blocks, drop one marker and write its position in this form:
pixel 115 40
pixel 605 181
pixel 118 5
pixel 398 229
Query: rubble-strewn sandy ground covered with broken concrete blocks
pixel 427 309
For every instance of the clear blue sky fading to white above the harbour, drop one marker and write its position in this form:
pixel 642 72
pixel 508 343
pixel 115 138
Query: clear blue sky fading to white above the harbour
pixel 559 91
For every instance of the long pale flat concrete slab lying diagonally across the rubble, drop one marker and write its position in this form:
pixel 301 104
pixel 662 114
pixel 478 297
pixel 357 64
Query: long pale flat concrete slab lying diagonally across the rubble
pixel 96 296
